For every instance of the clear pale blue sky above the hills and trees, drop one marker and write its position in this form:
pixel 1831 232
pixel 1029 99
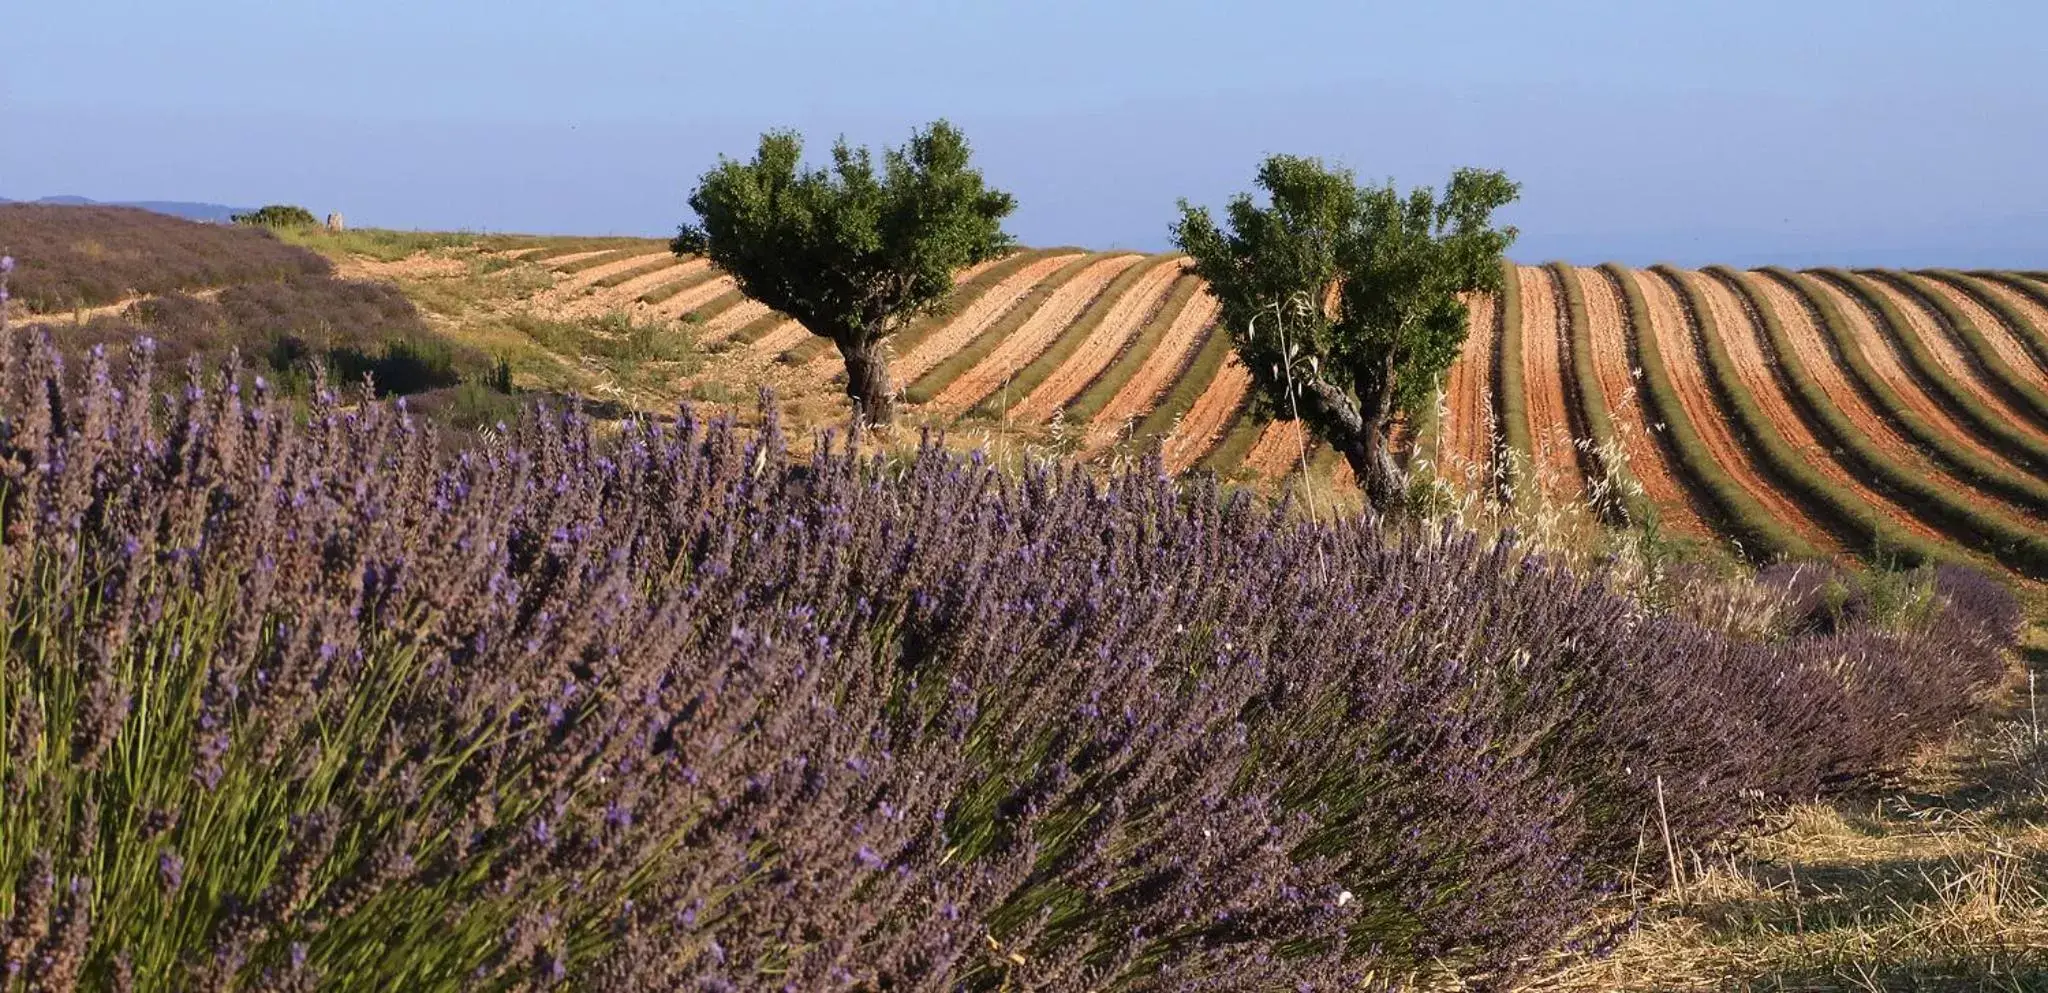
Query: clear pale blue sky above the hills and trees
pixel 1742 132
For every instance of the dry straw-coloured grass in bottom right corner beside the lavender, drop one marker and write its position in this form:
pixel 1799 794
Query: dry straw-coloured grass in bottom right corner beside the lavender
pixel 1934 883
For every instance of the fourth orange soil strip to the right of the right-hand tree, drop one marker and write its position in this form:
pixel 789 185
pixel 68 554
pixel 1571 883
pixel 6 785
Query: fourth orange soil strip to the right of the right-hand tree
pixel 1678 341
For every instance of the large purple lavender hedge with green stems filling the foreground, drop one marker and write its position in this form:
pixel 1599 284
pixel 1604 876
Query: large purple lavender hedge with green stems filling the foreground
pixel 316 707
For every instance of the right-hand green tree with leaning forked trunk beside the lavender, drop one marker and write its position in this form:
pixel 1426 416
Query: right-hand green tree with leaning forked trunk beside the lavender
pixel 1345 302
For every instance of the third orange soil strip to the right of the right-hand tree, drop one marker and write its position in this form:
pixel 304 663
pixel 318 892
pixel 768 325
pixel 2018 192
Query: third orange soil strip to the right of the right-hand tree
pixel 1623 390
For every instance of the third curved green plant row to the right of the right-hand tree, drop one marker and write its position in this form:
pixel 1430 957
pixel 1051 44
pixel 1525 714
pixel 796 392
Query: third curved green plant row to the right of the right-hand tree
pixel 1756 529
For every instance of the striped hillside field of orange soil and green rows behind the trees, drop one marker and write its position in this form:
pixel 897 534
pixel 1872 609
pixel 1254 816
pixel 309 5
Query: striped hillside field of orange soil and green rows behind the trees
pixel 1852 415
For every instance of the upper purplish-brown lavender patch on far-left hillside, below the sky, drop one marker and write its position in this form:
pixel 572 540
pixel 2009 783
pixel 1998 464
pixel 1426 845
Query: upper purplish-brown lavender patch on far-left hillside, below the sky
pixel 85 257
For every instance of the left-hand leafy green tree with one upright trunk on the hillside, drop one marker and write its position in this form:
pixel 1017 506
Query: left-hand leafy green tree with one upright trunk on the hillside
pixel 849 253
